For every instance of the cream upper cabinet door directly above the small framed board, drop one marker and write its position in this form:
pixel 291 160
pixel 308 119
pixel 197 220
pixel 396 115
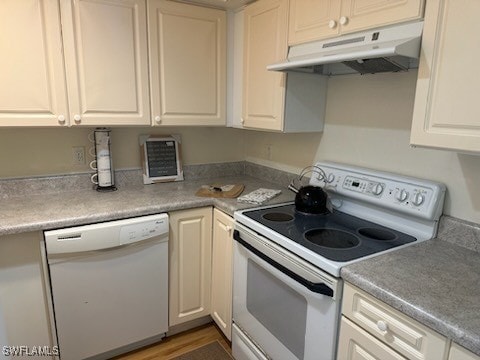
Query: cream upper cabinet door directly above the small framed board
pixel 187 47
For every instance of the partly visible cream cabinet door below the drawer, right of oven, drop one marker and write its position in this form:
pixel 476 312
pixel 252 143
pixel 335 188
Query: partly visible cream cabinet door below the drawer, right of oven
pixel 355 343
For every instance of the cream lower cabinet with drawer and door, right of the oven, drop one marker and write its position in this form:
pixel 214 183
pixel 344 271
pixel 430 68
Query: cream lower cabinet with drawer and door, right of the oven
pixel 371 327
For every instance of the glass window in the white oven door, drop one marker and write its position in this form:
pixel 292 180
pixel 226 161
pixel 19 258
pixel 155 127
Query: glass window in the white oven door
pixel 286 316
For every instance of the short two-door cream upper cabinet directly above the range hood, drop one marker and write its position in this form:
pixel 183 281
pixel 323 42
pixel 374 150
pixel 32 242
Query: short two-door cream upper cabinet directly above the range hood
pixel 319 19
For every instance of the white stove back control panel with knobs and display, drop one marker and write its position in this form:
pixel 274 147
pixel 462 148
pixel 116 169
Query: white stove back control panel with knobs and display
pixel 417 197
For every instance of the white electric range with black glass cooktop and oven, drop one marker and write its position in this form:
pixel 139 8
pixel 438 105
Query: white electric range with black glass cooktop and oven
pixel 287 285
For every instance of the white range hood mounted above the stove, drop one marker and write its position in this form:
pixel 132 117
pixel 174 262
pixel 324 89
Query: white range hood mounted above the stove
pixel 394 48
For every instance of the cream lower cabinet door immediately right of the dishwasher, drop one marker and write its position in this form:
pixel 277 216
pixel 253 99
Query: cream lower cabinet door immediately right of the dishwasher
pixel 189 264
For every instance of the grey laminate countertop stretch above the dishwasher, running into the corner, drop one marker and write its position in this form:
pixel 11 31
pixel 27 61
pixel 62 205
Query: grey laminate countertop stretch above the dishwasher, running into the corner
pixel 64 209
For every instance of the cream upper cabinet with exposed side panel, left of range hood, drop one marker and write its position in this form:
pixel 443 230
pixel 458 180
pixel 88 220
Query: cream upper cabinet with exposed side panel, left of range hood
pixel 268 102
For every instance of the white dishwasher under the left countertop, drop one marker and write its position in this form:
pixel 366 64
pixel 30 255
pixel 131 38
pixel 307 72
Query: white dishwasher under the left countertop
pixel 109 285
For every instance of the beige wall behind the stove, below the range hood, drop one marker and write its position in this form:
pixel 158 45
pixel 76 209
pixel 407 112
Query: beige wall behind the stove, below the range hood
pixel 368 121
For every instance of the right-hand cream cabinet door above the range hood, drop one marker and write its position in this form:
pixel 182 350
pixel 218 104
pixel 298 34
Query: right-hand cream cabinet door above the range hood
pixel 364 14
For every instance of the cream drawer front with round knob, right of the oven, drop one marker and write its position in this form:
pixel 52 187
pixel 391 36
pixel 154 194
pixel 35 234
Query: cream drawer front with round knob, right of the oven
pixel 410 338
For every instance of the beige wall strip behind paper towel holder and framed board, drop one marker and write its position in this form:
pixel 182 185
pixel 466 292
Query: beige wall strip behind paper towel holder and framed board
pixel 47 151
